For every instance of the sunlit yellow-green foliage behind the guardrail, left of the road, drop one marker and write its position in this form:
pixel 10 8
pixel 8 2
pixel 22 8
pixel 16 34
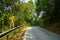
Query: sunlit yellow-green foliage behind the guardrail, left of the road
pixel 22 11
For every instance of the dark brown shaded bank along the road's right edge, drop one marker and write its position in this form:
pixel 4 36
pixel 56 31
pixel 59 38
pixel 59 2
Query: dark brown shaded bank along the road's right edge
pixel 53 28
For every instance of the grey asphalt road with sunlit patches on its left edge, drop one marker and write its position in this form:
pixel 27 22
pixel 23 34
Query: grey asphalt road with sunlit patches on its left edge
pixel 37 33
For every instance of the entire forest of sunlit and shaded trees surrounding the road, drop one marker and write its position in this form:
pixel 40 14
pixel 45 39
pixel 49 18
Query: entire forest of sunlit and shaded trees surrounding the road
pixel 43 13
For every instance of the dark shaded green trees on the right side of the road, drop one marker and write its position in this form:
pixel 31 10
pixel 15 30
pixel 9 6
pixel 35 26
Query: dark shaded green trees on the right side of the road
pixel 51 17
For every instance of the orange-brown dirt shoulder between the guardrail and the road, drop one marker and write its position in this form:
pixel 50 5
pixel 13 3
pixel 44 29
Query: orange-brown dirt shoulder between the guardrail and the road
pixel 19 35
